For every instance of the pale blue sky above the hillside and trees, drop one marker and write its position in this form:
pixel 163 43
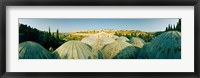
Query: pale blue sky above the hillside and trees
pixel 80 24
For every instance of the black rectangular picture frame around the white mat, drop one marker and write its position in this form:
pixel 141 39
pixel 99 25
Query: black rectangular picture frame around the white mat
pixel 4 3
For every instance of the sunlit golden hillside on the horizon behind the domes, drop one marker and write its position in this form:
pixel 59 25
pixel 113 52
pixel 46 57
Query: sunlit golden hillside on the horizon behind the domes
pixel 147 36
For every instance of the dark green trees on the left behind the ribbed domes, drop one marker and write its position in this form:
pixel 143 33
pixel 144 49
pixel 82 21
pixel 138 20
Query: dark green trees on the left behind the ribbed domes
pixel 48 40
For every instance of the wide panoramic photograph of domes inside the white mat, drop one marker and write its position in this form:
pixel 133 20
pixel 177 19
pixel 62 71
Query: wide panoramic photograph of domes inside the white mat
pixel 99 38
